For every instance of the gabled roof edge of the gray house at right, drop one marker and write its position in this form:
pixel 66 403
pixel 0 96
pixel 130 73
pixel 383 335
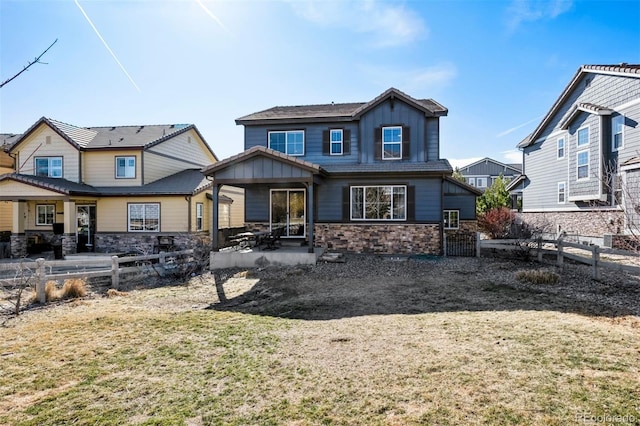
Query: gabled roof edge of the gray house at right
pixel 624 70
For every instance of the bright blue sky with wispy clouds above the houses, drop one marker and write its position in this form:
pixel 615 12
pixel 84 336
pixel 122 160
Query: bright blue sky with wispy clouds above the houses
pixel 498 66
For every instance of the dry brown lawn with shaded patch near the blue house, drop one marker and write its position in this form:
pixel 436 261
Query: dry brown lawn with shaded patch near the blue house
pixel 372 341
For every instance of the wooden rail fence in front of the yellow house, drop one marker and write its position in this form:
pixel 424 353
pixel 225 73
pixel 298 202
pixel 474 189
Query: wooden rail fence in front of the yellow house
pixel 39 267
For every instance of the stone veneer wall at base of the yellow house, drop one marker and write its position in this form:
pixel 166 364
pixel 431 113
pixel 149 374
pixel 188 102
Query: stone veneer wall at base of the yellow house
pixel 146 242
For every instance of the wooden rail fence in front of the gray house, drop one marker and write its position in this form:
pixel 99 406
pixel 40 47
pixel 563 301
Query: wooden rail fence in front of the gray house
pixel 559 249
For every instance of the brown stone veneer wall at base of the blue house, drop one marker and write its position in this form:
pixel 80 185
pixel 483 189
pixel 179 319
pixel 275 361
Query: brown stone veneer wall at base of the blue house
pixel 377 238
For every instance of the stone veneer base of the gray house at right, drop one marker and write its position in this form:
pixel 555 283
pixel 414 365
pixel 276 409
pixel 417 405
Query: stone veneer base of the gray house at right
pixel 586 223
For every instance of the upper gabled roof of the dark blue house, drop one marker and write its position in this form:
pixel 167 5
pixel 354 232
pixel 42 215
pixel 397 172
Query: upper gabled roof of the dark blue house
pixel 339 112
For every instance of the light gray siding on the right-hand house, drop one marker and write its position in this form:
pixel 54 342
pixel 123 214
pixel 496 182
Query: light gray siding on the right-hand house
pixel 543 168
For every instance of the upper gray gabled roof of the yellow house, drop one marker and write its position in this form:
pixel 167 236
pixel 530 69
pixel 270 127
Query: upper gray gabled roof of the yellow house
pixel 113 137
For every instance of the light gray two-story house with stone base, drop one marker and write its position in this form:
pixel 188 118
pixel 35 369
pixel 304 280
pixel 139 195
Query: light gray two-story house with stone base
pixel 580 164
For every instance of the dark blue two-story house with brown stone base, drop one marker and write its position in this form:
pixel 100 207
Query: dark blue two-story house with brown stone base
pixel 361 177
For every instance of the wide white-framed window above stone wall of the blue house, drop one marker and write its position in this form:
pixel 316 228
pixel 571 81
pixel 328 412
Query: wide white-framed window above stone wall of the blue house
pixel 379 202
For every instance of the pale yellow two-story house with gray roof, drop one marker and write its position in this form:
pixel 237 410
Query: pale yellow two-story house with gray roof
pixel 111 189
